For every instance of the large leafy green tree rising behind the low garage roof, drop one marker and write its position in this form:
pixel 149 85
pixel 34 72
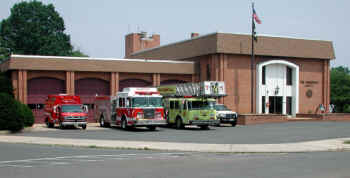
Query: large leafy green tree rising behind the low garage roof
pixel 35 29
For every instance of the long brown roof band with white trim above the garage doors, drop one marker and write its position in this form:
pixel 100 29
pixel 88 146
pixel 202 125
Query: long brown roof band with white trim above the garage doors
pixel 63 63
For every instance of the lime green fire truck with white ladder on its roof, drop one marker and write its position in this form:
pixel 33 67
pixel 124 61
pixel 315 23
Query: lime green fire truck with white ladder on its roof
pixel 192 103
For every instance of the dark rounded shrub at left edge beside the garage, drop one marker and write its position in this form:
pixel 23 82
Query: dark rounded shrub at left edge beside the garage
pixel 10 119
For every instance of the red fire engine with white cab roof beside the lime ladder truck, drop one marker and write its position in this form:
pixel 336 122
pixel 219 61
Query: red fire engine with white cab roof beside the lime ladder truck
pixel 133 107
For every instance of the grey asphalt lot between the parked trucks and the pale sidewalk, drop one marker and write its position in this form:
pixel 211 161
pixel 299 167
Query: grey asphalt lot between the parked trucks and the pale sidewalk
pixel 252 134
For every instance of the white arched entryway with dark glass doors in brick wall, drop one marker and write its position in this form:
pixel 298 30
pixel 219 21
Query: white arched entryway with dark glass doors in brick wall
pixel 277 87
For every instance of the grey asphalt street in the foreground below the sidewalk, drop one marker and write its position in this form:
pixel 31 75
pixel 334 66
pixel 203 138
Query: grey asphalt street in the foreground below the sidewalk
pixel 40 161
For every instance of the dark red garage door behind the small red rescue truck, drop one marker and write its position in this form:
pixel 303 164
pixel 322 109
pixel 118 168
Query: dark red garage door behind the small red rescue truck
pixel 38 89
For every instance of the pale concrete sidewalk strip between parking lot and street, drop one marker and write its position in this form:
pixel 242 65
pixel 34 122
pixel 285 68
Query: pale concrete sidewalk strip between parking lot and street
pixel 311 146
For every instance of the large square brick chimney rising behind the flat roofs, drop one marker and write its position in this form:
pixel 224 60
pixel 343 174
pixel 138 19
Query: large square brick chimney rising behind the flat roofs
pixel 138 41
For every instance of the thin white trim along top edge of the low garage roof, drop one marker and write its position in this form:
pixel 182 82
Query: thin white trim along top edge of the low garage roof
pixel 106 59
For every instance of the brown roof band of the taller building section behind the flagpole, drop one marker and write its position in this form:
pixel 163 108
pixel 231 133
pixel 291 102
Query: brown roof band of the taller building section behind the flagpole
pixel 240 44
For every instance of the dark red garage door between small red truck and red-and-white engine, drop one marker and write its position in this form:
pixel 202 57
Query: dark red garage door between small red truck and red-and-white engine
pixel 88 88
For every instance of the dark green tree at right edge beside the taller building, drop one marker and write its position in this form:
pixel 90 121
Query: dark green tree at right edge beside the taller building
pixel 340 88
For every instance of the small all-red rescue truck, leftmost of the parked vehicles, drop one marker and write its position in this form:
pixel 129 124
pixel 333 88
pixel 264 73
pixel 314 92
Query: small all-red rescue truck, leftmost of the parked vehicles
pixel 65 110
